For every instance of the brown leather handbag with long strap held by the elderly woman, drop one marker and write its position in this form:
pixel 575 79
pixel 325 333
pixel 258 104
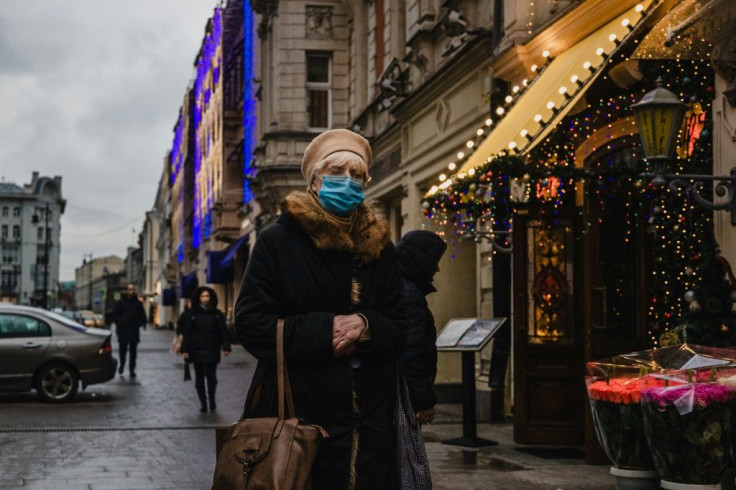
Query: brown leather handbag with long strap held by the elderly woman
pixel 271 452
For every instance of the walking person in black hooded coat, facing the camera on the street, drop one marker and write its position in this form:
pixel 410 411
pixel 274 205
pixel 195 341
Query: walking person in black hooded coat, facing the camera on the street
pixel 204 337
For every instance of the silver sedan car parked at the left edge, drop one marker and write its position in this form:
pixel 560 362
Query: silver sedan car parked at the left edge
pixel 48 352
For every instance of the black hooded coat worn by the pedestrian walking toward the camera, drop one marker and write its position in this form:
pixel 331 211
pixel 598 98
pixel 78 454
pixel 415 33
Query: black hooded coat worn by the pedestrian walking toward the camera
pixel 204 332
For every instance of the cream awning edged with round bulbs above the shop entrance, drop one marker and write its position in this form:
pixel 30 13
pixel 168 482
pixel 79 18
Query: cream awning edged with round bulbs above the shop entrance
pixel 555 91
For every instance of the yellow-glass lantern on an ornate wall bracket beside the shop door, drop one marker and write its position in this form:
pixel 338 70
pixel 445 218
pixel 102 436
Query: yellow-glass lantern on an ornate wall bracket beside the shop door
pixel 659 115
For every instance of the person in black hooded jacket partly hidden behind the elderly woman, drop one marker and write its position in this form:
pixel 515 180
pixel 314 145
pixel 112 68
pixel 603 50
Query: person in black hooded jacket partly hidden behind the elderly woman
pixel 419 253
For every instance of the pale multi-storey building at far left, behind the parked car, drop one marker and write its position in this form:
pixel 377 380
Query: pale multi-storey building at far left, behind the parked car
pixel 30 232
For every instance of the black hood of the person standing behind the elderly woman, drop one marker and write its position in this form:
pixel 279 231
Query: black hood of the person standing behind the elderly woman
pixel 418 253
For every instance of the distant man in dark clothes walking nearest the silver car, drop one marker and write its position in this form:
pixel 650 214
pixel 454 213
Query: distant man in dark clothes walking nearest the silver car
pixel 129 317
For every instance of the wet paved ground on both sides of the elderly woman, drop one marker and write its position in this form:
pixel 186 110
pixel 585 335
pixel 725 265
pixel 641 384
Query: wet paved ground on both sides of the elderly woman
pixel 148 433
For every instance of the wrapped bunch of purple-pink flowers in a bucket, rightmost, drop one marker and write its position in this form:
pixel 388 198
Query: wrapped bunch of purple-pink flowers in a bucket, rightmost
pixel 689 430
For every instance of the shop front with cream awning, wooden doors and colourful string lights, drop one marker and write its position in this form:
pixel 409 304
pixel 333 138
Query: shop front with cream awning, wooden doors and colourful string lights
pixel 605 261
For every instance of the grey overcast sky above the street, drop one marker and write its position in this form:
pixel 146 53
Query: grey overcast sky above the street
pixel 90 90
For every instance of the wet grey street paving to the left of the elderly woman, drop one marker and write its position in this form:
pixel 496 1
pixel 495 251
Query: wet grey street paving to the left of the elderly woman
pixel 123 434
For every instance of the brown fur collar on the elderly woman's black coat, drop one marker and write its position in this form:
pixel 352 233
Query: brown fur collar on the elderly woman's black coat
pixel 367 237
